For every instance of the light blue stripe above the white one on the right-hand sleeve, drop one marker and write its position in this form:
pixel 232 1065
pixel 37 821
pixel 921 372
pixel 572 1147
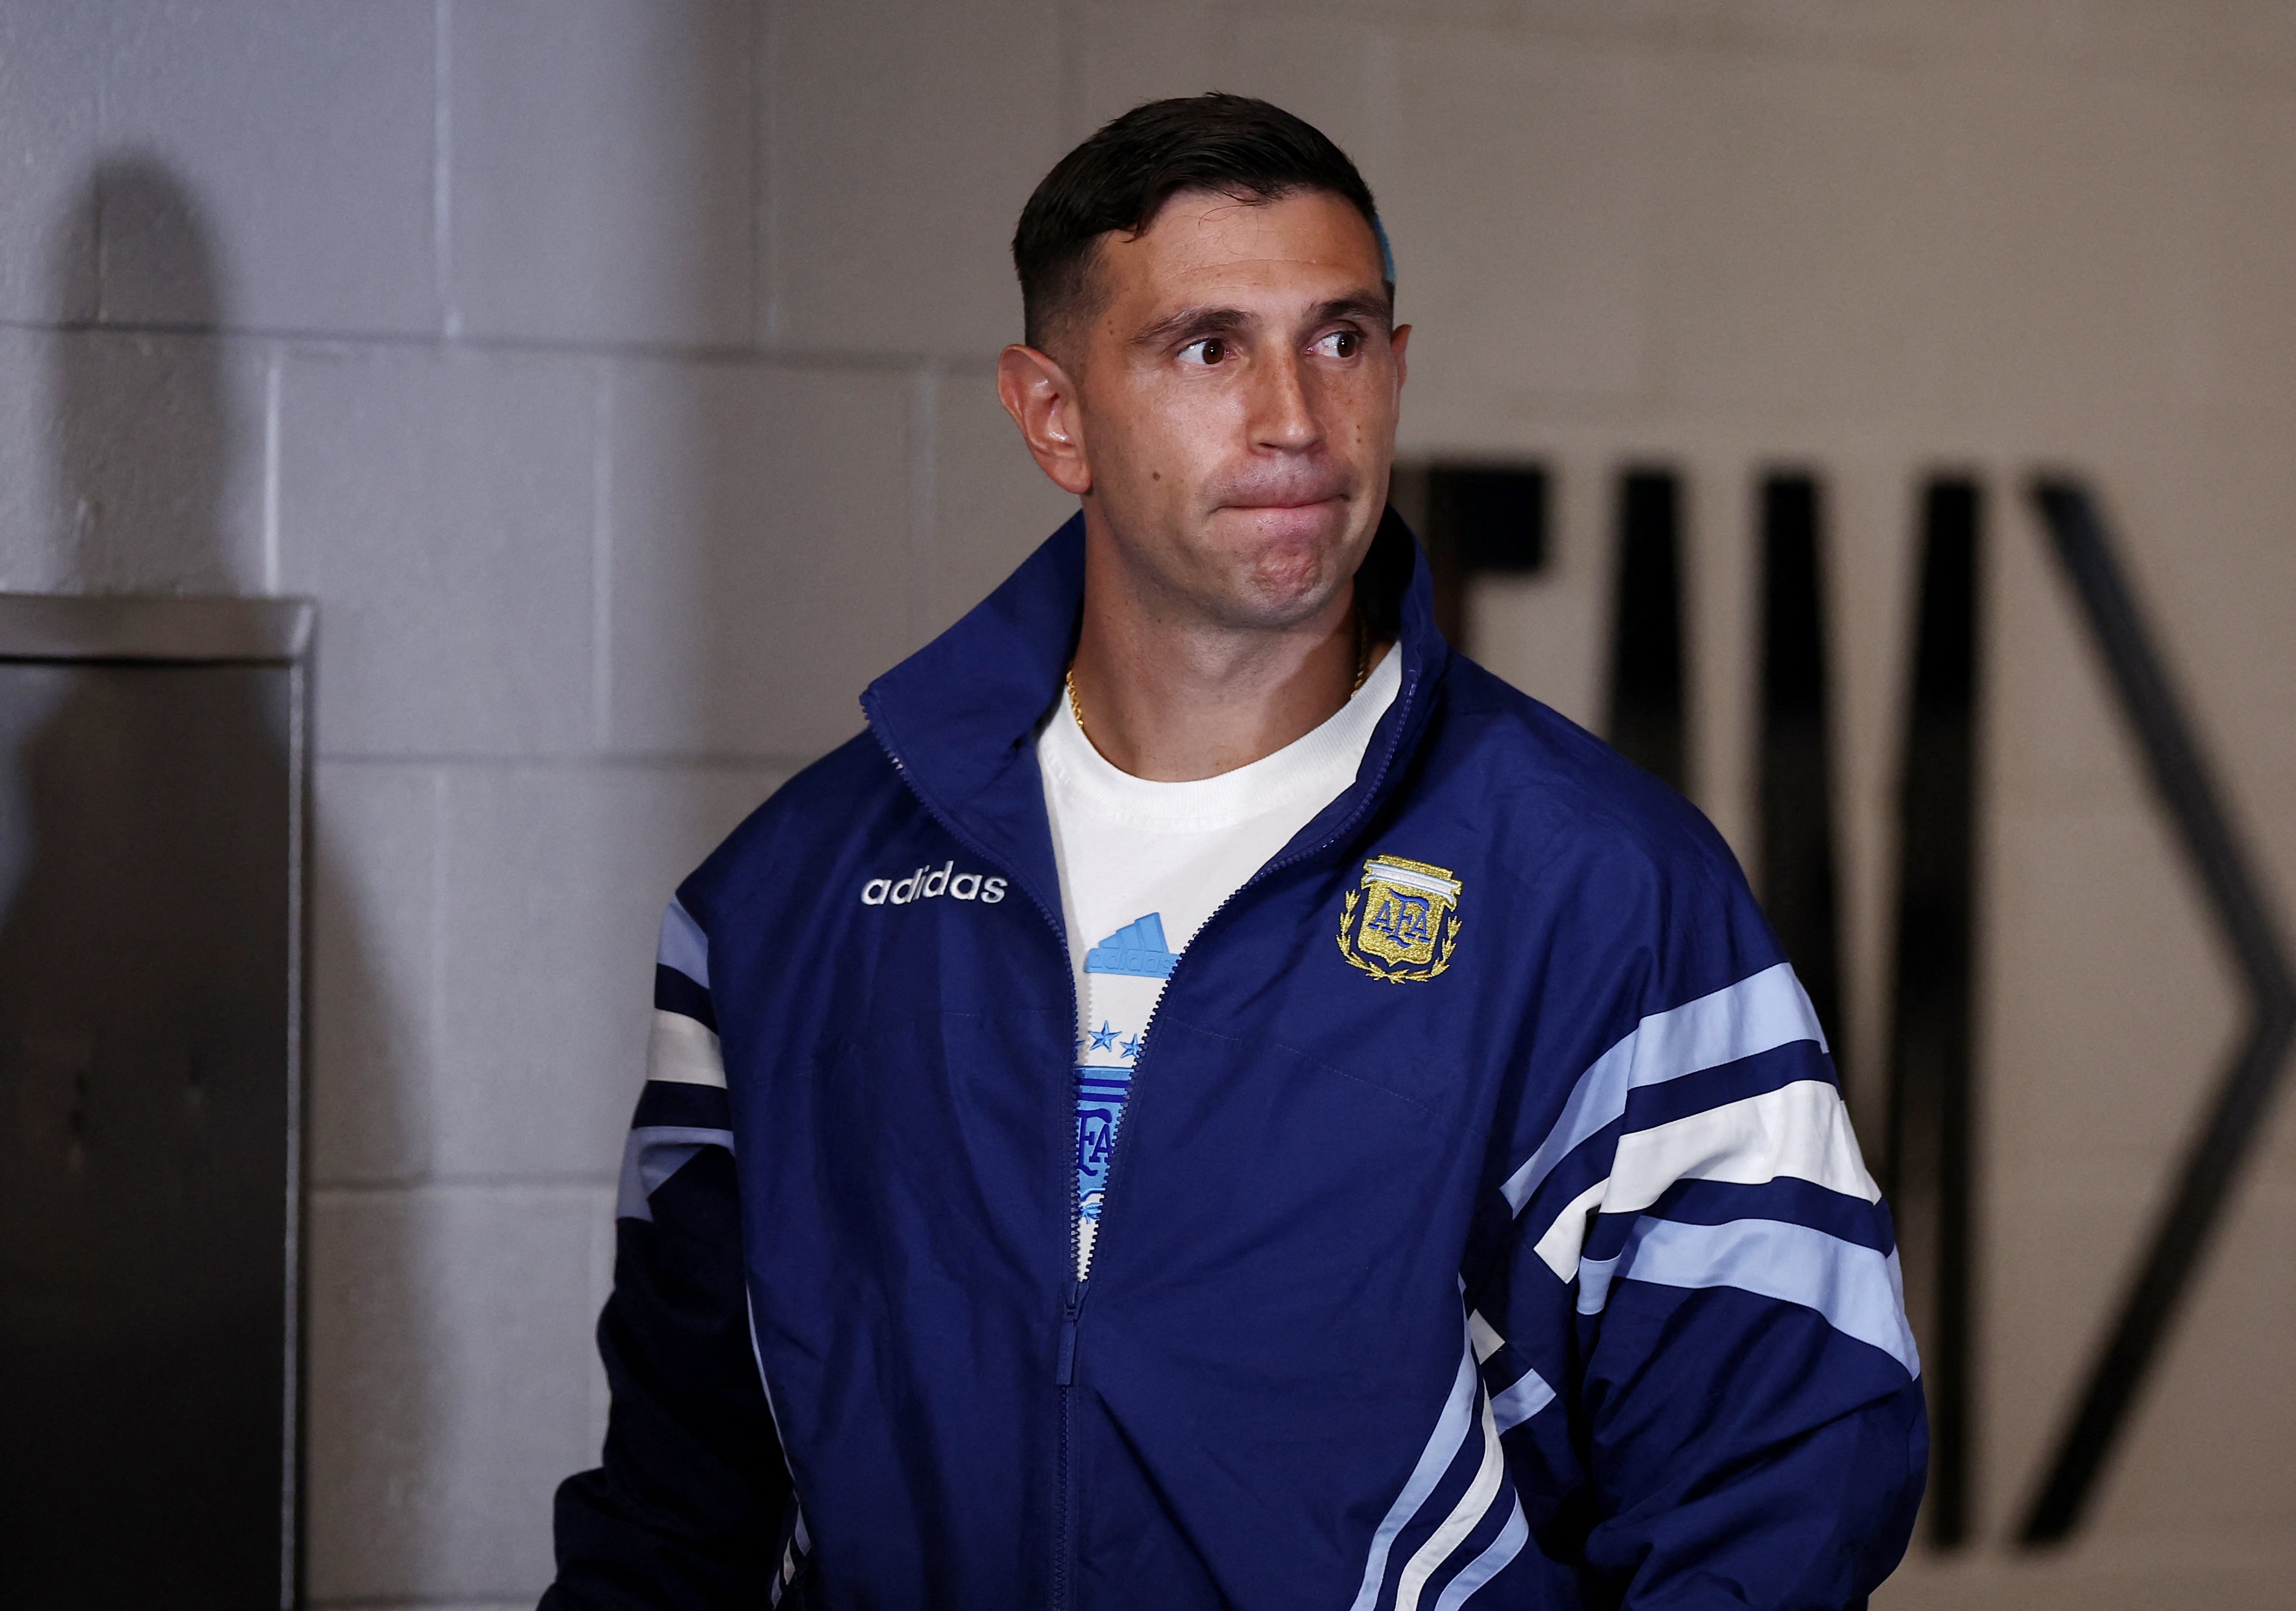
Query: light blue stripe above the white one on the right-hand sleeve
pixel 1748 1018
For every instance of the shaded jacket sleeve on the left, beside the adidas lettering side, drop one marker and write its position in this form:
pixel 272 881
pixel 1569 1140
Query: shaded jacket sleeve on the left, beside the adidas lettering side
pixel 690 1509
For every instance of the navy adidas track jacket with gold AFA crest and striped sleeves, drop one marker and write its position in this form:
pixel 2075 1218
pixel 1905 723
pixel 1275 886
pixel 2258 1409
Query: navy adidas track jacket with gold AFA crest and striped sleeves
pixel 1510 1250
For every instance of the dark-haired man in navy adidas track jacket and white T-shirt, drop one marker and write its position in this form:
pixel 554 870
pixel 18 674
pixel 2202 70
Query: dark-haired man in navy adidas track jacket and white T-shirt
pixel 1216 1100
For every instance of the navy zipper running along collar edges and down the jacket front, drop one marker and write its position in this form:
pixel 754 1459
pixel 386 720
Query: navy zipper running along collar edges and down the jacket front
pixel 1078 1286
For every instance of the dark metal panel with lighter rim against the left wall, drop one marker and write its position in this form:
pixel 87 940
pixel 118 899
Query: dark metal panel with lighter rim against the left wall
pixel 153 802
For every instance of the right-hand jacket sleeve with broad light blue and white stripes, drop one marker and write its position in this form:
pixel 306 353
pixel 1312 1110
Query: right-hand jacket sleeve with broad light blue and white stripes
pixel 1705 1332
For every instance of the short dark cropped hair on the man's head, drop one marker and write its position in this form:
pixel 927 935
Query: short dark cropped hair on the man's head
pixel 1124 176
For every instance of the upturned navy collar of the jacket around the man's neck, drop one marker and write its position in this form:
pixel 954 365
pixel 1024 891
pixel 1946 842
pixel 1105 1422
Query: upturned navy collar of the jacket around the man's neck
pixel 961 715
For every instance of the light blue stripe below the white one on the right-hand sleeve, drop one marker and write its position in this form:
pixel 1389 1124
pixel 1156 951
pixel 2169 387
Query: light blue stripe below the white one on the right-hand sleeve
pixel 1856 1289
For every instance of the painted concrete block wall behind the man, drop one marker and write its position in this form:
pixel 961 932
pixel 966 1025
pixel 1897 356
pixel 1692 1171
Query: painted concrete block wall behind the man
pixel 616 375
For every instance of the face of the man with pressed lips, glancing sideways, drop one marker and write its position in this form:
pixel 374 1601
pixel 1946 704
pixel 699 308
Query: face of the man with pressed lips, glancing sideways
pixel 1236 403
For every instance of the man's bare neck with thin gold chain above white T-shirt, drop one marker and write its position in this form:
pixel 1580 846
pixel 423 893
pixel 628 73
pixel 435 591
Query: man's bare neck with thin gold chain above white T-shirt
pixel 1174 701
